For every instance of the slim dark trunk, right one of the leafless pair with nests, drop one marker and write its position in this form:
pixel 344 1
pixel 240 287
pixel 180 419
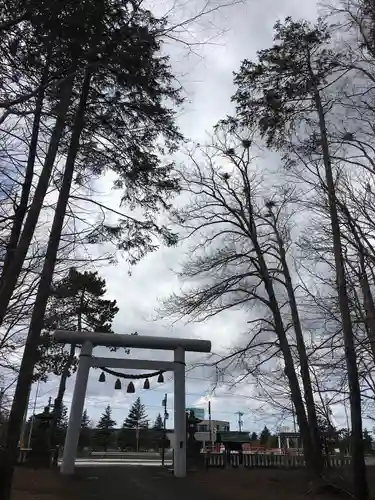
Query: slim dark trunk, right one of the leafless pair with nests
pixel 304 364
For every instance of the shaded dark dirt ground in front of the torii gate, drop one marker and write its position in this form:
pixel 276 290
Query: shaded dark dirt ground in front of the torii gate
pixel 158 484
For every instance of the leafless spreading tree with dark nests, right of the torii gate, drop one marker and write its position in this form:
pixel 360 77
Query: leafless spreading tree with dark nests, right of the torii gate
pixel 240 261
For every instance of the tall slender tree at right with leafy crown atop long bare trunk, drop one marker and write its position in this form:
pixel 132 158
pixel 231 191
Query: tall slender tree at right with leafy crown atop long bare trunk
pixel 287 88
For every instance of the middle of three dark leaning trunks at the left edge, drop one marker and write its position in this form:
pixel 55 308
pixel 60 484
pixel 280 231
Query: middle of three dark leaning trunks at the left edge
pixel 18 257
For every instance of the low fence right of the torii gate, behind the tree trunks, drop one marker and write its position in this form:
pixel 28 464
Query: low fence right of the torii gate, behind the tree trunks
pixel 247 460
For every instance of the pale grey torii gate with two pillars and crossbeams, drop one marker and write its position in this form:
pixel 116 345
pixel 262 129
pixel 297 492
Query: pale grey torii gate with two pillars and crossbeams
pixel 89 340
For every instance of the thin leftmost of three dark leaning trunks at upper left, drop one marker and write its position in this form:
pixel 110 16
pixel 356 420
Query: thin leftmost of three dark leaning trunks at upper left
pixel 21 210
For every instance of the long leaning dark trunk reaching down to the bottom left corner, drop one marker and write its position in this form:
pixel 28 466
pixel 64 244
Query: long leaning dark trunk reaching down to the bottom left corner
pixel 30 352
